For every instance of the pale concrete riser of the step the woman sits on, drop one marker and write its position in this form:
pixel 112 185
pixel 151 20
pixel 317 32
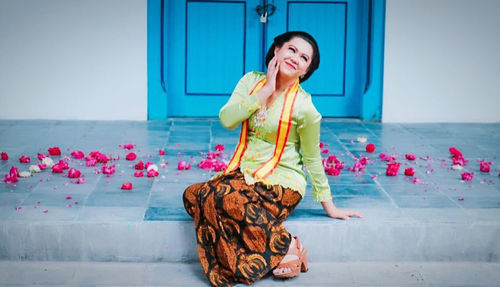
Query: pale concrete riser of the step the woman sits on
pixel 383 235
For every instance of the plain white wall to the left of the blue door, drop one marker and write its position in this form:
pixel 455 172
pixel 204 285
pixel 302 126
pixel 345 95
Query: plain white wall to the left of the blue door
pixel 73 59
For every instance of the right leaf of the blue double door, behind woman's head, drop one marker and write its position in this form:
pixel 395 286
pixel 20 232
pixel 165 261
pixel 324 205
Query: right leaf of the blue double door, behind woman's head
pixel 338 27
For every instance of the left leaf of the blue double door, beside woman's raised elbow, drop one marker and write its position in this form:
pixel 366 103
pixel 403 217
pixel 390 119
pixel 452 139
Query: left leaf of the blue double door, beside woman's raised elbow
pixel 212 44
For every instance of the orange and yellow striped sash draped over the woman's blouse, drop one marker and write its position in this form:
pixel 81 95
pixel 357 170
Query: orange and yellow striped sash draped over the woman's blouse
pixel 283 130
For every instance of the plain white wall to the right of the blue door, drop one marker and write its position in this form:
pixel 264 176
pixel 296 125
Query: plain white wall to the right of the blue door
pixel 442 61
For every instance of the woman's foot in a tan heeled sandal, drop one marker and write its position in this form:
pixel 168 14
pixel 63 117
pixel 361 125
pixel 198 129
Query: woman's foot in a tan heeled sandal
pixel 294 261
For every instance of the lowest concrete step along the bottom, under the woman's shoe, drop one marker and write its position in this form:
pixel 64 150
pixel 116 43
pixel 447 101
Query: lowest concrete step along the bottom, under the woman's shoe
pixel 352 274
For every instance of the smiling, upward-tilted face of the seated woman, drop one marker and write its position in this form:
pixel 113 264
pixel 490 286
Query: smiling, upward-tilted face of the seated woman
pixel 294 57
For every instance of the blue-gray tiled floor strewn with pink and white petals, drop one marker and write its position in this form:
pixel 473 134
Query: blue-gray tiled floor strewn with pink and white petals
pixel 188 139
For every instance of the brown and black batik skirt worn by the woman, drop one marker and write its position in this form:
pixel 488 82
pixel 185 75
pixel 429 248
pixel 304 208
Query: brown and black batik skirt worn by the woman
pixel 239 227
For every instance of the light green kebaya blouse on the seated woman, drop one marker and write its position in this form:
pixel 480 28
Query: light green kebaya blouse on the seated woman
pixel 302 145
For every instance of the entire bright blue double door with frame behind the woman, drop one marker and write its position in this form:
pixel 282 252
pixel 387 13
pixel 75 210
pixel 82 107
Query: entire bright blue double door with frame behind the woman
pixel 207 46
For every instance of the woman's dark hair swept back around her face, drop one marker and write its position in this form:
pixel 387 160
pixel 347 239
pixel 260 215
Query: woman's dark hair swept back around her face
pixel 285 37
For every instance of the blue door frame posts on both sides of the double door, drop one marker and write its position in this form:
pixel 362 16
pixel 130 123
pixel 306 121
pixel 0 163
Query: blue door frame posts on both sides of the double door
pixel 157 31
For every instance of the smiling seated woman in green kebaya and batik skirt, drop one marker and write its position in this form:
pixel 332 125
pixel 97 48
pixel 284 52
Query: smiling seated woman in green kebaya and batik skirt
pixel 238 214
